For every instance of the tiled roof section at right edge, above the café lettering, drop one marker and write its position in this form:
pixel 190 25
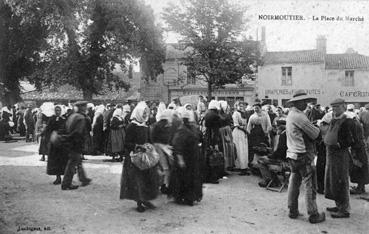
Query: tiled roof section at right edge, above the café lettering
pixel 346 61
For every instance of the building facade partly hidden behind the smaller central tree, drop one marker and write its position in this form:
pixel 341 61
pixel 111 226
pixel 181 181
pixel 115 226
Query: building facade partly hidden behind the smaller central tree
pixel 176 82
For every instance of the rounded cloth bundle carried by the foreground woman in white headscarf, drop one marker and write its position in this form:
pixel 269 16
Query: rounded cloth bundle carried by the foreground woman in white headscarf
pixel 145 157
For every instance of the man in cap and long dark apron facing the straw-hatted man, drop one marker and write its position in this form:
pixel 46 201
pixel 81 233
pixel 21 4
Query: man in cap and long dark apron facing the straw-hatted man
pixel 338 139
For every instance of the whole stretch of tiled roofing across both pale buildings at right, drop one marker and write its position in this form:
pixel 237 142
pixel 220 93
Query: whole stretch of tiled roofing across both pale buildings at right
pixel 332 61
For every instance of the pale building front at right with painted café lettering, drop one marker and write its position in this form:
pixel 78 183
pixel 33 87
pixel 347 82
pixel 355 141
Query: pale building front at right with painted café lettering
pixel 323 76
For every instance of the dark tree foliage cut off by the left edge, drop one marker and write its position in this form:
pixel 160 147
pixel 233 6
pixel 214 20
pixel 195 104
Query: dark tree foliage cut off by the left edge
pixel 22 35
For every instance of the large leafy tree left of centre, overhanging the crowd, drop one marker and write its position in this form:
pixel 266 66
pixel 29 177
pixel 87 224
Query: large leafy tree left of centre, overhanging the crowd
pixel 109 33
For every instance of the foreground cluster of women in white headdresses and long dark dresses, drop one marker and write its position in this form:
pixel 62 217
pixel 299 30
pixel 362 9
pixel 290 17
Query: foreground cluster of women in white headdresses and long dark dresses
pixel 177 141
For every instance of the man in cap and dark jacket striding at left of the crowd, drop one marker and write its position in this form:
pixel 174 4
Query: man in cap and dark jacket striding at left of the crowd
pixel 76 131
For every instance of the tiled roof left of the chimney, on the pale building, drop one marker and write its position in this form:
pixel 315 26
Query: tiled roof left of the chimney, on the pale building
pixel 299 56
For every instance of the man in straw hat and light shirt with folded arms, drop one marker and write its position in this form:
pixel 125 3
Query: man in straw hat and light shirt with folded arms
pixel 301 134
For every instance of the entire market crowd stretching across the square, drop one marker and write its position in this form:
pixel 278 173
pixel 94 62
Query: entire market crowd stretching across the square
pixel 175 148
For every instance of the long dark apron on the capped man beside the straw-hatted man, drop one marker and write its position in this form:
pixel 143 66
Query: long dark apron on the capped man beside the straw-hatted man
pixel 337 174
